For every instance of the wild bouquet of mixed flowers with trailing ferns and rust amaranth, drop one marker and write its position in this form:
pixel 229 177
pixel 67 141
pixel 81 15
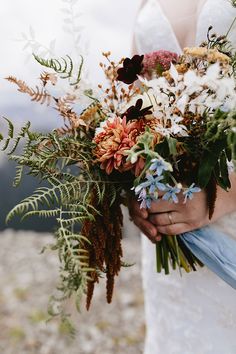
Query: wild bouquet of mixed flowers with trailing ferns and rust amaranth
pixel 163 125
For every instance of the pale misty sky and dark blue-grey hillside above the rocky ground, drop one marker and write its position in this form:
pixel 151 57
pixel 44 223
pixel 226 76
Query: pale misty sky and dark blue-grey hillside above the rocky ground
pixel 56 28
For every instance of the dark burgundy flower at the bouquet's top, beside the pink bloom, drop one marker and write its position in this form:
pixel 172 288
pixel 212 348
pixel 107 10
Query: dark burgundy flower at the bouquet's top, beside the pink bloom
pixel 131 69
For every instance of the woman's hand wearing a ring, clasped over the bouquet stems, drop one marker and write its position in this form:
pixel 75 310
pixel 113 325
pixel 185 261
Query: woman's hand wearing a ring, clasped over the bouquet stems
pixel 173 219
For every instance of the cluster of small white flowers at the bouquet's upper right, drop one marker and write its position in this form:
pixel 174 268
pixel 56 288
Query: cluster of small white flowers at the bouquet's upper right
pixel 195 91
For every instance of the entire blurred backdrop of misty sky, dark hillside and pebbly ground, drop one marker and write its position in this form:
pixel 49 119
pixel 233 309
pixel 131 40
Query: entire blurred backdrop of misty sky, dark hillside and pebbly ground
pixel 58 27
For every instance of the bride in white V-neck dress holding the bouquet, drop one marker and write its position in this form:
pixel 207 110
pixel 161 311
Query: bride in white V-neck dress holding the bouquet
pixel 195 314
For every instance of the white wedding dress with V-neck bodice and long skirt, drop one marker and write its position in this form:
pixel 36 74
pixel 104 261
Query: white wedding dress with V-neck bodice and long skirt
pixel 195 313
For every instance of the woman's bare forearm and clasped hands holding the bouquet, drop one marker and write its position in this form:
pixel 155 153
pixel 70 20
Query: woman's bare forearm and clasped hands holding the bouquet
pixel 169 218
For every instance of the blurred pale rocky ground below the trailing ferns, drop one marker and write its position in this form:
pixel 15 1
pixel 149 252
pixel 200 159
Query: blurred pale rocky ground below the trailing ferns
pixel 27 279
